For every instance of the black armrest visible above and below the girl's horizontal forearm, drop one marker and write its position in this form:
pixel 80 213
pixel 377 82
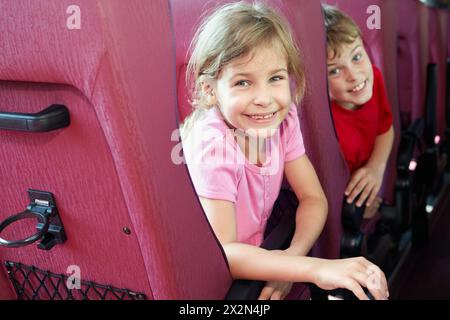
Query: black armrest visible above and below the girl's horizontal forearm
pixel 279 238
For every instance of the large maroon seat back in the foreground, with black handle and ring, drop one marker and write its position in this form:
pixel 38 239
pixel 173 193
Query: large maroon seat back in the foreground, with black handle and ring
pixel 112 167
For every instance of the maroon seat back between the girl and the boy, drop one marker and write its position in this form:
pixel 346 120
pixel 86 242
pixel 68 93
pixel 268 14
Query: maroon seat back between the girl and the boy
pixel 322 146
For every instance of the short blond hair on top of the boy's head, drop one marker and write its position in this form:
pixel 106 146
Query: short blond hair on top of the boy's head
pixel 340 29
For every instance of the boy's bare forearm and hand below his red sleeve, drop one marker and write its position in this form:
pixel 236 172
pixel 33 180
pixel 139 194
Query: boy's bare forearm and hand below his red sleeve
pixel 367 180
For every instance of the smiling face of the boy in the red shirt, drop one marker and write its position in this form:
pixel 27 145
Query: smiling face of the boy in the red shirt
pixel 350 75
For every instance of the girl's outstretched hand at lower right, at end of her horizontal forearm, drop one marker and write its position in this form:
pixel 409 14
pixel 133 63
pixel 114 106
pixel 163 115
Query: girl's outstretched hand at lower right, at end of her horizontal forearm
pixel 352 274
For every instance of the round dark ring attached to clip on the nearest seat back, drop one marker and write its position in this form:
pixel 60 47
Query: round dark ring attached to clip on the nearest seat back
pixel 24 242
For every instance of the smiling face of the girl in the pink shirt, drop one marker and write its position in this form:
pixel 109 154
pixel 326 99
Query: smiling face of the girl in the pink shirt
pixel 253 92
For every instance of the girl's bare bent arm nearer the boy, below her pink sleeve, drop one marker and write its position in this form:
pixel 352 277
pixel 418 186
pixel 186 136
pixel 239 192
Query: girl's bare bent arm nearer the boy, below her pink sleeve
pixel 313 207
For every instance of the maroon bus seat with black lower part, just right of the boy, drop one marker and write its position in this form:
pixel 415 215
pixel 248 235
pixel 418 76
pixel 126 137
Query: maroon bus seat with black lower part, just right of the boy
pixel 412 59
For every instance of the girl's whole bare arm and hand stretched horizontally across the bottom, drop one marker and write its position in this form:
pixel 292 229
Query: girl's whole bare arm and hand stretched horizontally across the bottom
pixel 254 263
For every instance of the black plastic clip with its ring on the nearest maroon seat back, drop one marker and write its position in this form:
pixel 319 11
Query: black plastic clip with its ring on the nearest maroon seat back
pixel 50 229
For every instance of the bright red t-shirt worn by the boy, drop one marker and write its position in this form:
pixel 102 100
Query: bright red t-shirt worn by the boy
pixel 358 129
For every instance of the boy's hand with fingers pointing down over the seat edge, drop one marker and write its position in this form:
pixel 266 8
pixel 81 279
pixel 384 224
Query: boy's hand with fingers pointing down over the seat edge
pixel 366 182
